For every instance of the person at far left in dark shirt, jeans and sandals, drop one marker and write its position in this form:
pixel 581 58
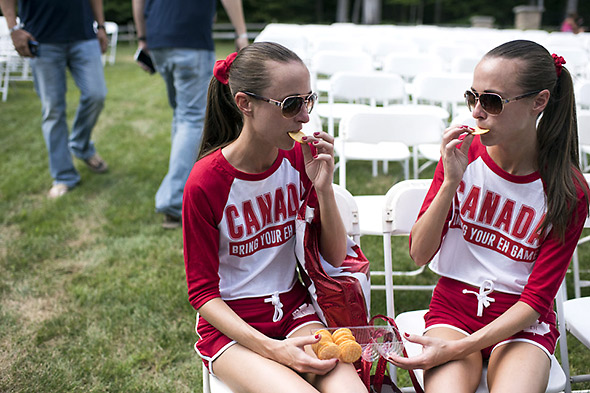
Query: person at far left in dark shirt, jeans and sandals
pixel 56 35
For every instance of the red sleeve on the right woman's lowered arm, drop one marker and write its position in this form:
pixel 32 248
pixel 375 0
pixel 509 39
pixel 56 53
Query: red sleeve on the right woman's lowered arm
pixel 554 258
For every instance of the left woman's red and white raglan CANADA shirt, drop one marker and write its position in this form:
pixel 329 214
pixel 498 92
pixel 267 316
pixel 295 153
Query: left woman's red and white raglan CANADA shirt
pixel 239 228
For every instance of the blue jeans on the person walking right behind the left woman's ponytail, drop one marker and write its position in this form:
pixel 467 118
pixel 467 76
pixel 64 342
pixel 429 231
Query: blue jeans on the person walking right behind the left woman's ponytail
pixel 187 73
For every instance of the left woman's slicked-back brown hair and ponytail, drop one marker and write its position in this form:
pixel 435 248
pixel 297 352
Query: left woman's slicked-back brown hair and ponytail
pixel 248 72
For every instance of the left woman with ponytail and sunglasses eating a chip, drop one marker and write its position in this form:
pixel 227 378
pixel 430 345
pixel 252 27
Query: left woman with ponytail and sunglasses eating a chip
pixel 240 203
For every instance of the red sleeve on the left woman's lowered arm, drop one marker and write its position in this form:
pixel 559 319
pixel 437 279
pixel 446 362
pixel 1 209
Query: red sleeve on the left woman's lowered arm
pixel 201 214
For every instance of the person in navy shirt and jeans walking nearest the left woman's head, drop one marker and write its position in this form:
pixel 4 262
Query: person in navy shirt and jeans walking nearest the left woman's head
pixel 178 35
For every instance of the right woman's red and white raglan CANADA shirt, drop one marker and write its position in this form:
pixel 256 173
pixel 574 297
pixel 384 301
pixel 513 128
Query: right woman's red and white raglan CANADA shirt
pixel 491 232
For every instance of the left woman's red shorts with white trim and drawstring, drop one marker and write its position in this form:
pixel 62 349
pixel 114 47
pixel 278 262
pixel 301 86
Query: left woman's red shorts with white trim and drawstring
pixel 261 313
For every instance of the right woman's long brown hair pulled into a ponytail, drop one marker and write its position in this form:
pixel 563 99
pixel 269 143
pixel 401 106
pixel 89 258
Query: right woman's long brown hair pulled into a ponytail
pixel 557 130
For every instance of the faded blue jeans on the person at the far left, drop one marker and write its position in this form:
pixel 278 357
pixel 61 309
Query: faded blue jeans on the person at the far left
pixel 49 74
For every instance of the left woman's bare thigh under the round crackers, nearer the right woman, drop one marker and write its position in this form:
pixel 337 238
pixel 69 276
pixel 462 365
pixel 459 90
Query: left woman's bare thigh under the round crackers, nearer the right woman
pixel 342 379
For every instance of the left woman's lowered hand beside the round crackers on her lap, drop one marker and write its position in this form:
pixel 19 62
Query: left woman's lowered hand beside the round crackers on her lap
pixel 291 353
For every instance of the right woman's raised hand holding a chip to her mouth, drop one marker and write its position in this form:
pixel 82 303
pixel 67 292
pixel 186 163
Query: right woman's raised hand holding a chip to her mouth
pixel 455 159
